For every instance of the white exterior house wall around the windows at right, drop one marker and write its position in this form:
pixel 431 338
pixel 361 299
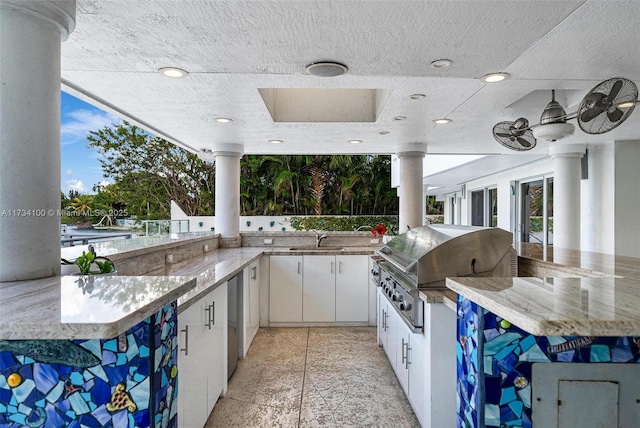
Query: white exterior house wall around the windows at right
pixel 610 197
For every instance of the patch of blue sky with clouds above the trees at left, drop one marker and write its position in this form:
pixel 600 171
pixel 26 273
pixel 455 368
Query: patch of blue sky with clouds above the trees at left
pixel 80 166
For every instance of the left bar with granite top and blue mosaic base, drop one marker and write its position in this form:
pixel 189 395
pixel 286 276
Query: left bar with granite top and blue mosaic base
pixel 90 351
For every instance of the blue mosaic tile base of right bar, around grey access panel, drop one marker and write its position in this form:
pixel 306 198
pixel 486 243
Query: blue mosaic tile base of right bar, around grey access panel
pixel 494 360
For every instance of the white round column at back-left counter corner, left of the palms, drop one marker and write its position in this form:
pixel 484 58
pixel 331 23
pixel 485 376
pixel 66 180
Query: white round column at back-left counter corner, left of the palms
pixel 228 194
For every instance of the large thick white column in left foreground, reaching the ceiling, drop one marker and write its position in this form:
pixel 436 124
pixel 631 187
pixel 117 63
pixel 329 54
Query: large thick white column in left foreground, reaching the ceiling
pixel 30 36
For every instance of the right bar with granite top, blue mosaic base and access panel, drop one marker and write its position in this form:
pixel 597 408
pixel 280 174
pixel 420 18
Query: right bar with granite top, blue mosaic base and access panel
pixel 547 352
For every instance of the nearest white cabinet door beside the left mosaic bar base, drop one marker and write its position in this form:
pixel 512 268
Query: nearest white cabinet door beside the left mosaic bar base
pixel 192 363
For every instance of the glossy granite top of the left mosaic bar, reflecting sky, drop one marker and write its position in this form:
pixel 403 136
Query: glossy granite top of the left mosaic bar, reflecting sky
pixel 84 307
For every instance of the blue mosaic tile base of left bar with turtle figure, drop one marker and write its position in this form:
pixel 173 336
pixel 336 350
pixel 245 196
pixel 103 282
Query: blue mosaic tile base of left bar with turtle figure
pixel 127 381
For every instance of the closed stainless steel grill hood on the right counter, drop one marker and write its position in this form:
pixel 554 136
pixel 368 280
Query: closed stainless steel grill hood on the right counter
pixel 427 255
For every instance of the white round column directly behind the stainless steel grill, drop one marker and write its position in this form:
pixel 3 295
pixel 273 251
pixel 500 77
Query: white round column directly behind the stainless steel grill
pixel 410 190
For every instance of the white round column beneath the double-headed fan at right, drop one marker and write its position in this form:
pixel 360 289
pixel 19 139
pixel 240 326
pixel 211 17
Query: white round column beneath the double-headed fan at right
pixel 566 194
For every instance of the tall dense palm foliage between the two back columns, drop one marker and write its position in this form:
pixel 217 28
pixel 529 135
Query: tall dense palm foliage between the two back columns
pixel 304 185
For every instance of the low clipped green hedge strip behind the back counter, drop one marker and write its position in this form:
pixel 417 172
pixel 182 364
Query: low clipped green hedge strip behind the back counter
pixel 344 223
